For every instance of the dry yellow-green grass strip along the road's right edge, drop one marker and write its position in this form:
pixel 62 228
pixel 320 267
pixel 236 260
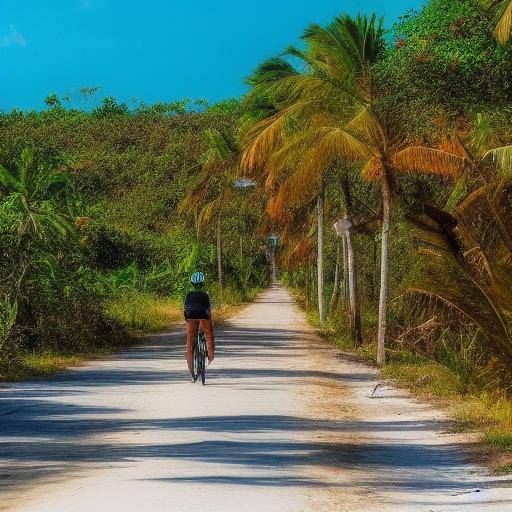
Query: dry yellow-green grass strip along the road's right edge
pixel 474 409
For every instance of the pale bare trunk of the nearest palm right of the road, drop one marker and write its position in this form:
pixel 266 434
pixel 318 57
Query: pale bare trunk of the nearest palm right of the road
pixel 384 268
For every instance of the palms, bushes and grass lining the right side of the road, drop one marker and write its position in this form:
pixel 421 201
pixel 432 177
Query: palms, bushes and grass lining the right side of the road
pixel 387 160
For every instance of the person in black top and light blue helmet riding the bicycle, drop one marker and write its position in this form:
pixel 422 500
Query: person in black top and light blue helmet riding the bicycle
pixel 197 310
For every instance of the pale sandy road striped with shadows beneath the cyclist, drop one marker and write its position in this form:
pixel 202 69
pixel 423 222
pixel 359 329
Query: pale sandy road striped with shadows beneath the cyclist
pixel 285 423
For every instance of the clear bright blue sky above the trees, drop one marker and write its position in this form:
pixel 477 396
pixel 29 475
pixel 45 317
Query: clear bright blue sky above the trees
pixel 155 50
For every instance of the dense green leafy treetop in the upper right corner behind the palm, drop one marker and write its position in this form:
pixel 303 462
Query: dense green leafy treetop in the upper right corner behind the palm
pixel 445 66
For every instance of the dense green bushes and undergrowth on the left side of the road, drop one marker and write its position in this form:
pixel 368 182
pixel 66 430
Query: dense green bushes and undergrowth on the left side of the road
pixel 93 249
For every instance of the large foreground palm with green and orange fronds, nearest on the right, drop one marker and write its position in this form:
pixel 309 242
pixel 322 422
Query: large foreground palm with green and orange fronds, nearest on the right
pixel 331 110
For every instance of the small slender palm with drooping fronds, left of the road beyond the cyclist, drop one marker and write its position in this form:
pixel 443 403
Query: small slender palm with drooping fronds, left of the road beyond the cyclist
pixel 213 189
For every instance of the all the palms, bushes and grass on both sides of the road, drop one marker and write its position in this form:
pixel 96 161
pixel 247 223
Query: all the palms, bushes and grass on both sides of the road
pixel 381 158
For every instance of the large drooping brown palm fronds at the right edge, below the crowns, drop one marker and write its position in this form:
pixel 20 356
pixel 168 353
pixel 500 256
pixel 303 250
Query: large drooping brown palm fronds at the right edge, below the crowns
pixel 468 270
